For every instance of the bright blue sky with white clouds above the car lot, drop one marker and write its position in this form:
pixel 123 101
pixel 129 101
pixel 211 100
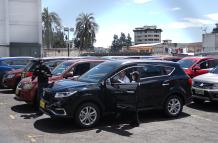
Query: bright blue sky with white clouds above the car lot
pixel 182 21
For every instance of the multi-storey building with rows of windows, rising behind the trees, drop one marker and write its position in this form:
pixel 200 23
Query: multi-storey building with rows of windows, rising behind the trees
pixel 147 35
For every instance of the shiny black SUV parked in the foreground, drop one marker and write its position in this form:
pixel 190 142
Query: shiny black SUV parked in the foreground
pixel 162 85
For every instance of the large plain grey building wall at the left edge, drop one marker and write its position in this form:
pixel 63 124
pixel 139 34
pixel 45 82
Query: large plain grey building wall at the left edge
pixel 20 28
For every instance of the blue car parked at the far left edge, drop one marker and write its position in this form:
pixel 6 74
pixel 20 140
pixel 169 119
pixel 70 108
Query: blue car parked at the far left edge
pixel 12 63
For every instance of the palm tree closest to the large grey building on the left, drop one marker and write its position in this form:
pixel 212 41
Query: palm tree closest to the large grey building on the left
pixel 50 20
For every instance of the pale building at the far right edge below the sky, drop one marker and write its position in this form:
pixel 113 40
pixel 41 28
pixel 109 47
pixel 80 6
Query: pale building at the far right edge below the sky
pixel 210 41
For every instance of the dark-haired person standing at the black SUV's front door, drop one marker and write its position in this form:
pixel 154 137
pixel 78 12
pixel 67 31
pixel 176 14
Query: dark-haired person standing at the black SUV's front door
pixel 134 112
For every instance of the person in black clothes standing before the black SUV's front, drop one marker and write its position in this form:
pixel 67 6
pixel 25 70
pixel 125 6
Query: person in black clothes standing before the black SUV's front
pixel 42 72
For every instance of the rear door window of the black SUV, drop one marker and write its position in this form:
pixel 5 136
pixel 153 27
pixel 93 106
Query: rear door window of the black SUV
pixel 149 71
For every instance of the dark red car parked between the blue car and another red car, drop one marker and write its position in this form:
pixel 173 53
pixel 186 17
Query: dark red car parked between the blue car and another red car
pixel 11 79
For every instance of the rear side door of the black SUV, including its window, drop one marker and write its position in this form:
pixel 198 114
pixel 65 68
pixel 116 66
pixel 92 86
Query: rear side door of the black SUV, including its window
pixel 154 84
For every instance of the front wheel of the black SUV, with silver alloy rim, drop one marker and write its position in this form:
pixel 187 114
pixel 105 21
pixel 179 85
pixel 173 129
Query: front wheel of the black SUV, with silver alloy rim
pixel 87 115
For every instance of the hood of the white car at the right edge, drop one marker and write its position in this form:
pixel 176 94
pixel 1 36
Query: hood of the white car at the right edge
pixel 208 77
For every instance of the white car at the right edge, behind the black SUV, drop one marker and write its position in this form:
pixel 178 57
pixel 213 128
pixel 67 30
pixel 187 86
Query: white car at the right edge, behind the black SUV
pixel 205 87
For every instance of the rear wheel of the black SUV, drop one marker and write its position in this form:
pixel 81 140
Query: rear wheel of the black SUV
pixel 173 106
